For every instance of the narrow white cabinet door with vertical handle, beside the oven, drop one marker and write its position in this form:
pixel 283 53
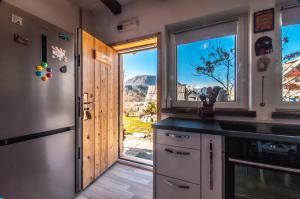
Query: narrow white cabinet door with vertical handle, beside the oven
pixel 212 175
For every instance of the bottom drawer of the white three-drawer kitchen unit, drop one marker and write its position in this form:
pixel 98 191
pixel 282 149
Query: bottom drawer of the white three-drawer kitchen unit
pixel 169 188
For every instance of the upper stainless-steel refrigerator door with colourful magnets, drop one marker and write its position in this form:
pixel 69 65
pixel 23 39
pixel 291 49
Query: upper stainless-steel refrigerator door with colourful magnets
pixel 29 105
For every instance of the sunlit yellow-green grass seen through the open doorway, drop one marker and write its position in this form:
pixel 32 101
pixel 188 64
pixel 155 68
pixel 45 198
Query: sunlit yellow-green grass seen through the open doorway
pixel 135 125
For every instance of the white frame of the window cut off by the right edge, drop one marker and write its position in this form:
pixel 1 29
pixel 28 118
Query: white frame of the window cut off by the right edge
pixel 280 104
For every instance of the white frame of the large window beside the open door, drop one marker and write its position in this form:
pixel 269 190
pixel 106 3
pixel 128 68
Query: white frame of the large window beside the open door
pixel 242 62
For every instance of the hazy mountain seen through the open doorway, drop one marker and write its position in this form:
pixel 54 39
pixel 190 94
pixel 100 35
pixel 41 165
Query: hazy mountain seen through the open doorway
pixel 136 88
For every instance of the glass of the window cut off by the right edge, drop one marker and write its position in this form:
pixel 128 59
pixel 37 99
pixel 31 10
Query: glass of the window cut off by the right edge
pixel 290 76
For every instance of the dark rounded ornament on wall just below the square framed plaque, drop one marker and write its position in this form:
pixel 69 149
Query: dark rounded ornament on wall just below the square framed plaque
pixel 263 46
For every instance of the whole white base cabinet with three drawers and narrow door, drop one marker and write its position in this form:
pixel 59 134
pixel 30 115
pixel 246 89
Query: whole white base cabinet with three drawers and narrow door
pixel 188 165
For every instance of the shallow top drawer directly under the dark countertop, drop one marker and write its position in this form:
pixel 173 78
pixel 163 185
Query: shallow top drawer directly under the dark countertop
pixel 178 138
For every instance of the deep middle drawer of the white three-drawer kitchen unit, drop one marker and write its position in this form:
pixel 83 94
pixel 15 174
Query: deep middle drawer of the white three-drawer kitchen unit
pixel 181 163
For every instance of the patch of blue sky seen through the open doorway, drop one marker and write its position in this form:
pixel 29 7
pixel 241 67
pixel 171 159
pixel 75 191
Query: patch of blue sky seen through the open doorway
pixel 140 63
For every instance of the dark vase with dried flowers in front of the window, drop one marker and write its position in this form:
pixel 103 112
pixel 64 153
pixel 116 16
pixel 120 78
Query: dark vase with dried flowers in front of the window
pixel 208 98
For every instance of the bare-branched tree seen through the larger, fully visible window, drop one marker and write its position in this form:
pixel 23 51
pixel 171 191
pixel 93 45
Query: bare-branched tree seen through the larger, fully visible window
pixel 217 64
